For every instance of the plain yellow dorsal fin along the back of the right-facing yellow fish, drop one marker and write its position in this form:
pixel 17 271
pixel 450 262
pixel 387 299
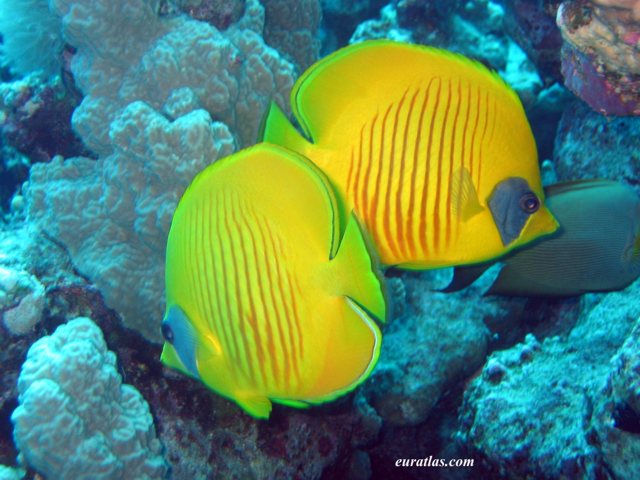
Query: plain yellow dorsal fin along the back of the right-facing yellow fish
pixel 359 75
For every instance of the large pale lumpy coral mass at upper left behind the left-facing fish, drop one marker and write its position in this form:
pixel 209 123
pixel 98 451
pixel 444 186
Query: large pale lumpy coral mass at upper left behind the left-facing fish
pixel 165 97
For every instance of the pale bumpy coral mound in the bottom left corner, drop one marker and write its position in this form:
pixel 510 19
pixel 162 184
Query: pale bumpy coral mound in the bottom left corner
pixel 76 420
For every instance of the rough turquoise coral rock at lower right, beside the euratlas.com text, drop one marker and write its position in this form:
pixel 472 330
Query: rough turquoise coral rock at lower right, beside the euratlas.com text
pixel 531 411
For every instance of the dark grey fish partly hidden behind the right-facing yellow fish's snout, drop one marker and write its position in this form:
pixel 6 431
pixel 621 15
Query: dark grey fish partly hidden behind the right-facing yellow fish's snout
pixel 596 248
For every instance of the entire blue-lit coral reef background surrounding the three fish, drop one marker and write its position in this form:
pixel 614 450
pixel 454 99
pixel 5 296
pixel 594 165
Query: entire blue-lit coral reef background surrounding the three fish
pixel 176 84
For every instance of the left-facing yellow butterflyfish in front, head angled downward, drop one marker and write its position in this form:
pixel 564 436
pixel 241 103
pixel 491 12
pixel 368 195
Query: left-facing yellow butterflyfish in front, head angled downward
pixel 269 296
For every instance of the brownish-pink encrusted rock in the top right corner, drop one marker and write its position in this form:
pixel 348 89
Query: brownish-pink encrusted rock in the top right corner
pixel 601 54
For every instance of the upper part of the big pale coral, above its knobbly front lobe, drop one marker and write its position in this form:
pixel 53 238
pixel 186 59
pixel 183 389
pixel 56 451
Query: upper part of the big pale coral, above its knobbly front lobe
pixel 232 75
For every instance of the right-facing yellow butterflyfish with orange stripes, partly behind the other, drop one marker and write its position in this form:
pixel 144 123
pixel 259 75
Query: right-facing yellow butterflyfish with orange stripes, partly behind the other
pixel 432 150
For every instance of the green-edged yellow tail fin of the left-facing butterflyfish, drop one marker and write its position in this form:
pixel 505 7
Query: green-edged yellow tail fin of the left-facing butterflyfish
pixel 359 267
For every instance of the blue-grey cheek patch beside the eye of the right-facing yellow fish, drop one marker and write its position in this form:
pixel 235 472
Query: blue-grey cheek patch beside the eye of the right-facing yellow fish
pixel 504 204
